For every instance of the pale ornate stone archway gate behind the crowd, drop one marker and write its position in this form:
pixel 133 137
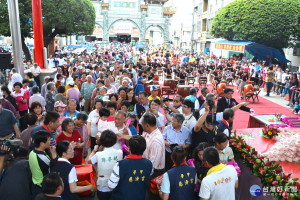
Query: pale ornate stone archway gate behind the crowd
pixel 128 20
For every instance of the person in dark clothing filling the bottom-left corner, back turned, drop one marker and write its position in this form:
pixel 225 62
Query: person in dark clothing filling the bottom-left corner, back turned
pixel 16 181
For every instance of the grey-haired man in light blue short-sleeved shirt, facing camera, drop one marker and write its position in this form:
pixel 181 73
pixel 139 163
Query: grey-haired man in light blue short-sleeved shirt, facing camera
pixel 175 135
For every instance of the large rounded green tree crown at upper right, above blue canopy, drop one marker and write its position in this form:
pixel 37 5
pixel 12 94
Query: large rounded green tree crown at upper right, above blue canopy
pixel 273 23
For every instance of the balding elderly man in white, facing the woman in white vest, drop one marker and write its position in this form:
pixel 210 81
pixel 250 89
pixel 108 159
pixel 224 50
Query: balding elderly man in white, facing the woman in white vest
pixel 119 128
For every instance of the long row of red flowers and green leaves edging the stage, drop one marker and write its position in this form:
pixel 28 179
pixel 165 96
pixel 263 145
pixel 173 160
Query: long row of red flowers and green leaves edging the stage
pixel 271 174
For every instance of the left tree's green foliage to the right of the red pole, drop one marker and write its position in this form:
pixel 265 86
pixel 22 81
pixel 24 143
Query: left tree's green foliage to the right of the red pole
pixel 67 17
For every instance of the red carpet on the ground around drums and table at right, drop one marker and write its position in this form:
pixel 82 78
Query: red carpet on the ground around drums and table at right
pixel 264 106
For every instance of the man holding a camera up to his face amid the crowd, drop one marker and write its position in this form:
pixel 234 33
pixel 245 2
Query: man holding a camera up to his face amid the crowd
pixel 171 108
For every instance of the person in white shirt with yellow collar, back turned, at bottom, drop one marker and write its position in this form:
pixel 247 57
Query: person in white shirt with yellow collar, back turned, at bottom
pixel 221 180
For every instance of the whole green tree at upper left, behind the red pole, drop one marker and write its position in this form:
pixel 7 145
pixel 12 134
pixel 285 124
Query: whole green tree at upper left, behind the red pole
pixel 67 17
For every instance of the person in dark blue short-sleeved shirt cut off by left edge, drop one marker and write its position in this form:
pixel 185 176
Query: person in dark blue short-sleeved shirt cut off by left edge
pixel 8 123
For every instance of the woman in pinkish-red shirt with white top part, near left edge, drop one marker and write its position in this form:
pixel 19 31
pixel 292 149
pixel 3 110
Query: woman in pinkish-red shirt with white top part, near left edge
pixel 21 98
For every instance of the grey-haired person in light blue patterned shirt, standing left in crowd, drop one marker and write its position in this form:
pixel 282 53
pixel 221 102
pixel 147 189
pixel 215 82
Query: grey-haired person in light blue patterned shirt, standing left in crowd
pixel 86 92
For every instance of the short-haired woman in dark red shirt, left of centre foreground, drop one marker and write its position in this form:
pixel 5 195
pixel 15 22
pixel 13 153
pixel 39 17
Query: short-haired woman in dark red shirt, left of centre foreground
pixel 70 134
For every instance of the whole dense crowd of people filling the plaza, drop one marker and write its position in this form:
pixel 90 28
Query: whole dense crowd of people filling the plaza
pixel 96 109
